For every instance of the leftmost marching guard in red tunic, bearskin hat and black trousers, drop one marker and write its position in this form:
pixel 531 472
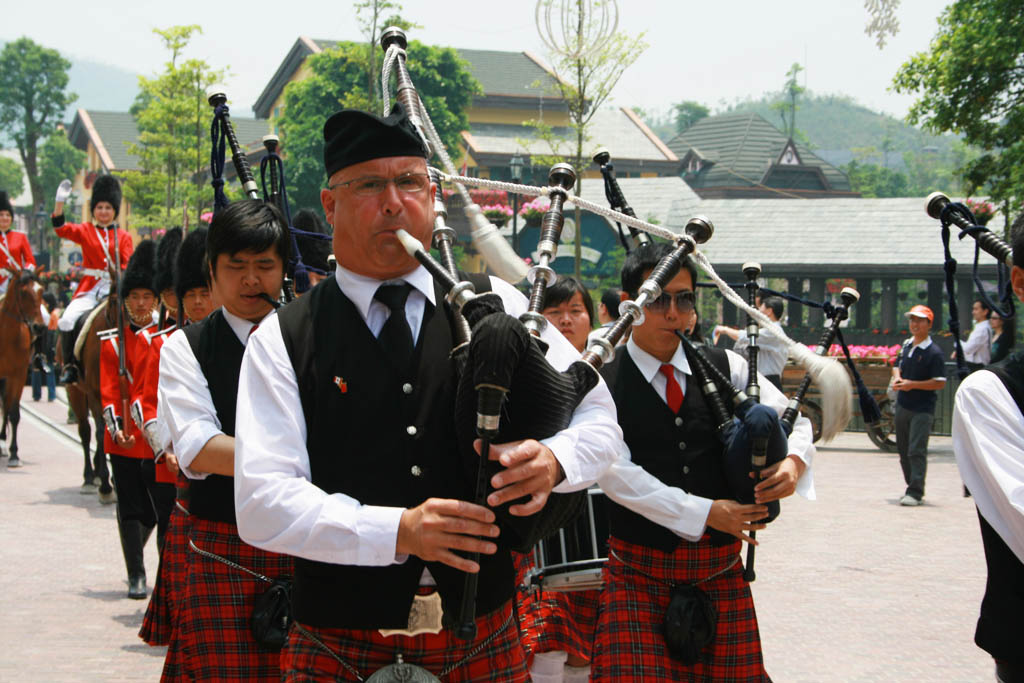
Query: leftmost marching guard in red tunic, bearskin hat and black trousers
pixel 143 503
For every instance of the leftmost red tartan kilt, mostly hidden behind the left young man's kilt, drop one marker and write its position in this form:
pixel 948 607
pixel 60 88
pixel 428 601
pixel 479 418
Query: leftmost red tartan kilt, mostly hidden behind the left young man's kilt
pixel 159 620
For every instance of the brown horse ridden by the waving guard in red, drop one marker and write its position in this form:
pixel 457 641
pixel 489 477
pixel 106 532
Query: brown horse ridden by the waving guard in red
pixel 83 397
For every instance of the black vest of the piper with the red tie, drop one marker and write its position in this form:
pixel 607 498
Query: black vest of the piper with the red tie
pixel 680 450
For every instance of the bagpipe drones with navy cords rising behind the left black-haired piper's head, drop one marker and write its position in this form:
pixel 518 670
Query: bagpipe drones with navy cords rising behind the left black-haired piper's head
pixel 274 186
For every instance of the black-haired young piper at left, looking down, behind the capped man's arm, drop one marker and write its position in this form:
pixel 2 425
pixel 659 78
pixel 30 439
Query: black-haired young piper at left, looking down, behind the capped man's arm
pixel 247 248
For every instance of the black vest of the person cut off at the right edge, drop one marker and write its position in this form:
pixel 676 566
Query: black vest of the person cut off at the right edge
pixel 999 625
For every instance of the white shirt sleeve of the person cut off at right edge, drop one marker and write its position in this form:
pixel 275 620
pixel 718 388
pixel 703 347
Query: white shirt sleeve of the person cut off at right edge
pixel 989 443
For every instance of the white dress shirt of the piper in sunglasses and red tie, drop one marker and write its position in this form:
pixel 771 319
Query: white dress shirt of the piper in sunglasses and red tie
pixel 687 515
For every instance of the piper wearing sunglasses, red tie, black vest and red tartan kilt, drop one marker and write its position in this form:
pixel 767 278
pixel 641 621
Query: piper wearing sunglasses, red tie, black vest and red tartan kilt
pixel 673 523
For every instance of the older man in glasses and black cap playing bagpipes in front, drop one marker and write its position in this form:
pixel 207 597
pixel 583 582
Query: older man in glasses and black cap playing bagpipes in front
pixel 351 464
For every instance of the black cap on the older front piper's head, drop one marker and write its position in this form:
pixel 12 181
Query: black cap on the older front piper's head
pixel 353 137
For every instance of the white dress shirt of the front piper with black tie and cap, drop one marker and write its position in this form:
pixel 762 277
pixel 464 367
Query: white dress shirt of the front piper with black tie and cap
pixel 278 506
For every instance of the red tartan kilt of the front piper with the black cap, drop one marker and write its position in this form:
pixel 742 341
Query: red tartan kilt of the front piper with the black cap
pixel 502 661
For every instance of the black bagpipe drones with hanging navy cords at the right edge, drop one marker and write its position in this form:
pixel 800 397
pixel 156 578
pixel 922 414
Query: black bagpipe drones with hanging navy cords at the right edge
pixel 950 214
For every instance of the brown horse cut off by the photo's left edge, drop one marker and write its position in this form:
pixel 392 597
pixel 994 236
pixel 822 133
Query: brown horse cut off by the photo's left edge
pixel 22 323
